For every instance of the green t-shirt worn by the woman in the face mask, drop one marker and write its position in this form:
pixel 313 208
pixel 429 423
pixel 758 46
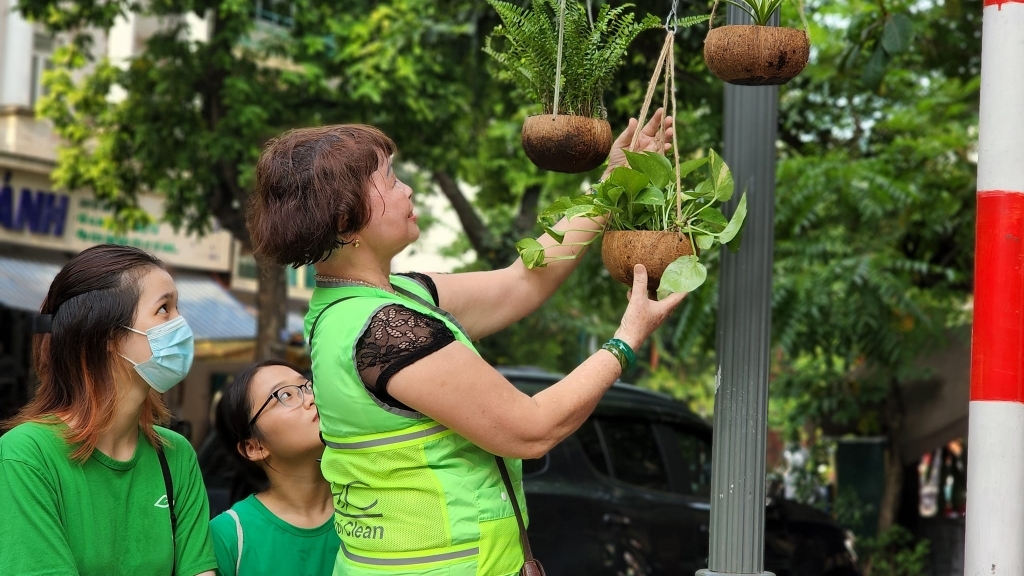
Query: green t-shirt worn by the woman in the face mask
pixel 101 518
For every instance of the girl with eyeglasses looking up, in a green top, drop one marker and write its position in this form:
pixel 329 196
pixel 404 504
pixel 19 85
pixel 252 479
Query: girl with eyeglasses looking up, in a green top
pixel 268 422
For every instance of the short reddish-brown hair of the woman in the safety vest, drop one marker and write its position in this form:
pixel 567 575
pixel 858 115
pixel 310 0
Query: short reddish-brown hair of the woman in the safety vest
pixel 312 190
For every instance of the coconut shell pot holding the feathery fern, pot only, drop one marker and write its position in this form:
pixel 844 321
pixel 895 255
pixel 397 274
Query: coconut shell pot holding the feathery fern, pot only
pixel 566 143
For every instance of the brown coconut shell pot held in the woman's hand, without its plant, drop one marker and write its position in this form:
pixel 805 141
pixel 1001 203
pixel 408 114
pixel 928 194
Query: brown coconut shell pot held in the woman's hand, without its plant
pixel 621 251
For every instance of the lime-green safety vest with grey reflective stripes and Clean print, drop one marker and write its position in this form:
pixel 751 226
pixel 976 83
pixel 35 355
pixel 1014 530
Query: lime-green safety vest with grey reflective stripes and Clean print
pixel 410 496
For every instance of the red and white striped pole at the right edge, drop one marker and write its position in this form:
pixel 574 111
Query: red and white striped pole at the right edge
pixel 996 466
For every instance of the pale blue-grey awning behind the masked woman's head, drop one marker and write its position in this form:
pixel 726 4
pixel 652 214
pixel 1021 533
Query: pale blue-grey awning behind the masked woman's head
pixel 209 308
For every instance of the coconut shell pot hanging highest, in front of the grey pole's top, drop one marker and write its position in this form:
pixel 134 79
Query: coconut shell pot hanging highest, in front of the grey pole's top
pixel 756 56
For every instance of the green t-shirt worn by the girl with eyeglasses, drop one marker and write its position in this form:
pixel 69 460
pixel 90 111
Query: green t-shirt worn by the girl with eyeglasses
pixel 270 546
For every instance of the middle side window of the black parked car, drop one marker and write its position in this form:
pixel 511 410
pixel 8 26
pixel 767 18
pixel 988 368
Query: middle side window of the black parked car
pixel 634 452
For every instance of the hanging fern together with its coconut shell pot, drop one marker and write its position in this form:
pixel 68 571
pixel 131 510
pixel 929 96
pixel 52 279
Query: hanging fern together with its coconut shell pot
pixel 573 135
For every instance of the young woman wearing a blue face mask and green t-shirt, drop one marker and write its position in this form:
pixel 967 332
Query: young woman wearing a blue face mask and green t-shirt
pixel 91 484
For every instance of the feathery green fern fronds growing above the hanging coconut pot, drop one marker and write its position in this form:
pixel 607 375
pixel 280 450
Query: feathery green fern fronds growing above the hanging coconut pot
pixel 527 47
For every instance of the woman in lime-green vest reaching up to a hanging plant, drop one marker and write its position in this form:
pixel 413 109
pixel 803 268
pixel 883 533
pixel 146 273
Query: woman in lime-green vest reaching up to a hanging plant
pixel 412 418
